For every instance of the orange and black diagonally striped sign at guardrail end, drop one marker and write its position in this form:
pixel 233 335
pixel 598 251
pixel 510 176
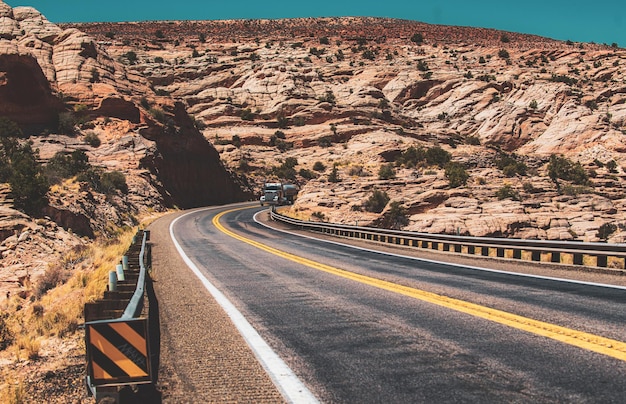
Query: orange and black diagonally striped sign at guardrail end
pixel 118 352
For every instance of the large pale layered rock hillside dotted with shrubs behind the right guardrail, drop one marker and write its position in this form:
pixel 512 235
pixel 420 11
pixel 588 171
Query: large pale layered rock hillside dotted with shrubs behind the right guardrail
pixel 355 93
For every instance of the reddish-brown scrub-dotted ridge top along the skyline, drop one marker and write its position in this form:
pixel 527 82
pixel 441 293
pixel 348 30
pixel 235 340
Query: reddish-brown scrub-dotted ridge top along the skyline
pixel 371 28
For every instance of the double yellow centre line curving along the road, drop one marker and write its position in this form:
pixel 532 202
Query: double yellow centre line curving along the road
pixel 606 346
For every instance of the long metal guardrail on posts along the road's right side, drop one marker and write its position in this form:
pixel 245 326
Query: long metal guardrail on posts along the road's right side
pixel 577 253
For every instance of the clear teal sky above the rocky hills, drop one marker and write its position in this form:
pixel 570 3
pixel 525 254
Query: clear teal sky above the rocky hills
pixel 577 20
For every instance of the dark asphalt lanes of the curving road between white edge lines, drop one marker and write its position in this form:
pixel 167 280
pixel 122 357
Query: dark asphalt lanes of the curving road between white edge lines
pixel 353 342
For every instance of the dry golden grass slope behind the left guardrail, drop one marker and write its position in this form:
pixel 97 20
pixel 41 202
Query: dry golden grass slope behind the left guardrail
pixel 58 310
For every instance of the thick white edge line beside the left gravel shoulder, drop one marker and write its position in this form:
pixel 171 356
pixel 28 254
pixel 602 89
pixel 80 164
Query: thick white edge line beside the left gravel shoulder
pixel 290 386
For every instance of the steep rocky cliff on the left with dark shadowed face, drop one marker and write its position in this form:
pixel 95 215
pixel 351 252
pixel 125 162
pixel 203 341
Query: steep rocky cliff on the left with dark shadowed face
pixel 70 98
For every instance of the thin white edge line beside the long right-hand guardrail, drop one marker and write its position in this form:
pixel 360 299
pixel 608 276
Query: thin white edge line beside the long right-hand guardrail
pixel 475 268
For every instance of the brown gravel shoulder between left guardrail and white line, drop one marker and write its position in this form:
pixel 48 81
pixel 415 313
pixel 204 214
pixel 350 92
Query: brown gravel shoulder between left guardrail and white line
pixel 203 358
